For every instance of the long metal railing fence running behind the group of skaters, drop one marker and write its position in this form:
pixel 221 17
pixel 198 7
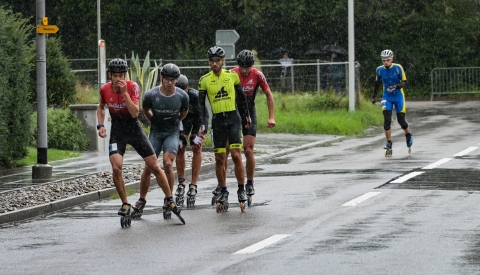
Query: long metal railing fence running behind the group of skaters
pixel 306 75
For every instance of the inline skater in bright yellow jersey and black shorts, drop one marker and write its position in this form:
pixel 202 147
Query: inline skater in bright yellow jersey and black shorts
pixel 226 97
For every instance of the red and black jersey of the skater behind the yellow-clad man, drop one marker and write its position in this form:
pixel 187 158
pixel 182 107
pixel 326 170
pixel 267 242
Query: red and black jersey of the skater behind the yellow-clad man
pixel 250 84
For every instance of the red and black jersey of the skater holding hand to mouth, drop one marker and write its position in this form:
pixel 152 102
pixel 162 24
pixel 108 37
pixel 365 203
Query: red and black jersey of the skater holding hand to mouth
pixel 116 103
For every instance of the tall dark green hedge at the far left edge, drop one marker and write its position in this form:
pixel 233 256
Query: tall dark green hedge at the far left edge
pixel 14 81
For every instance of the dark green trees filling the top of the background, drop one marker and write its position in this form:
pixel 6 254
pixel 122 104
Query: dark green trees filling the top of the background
pixel 422 34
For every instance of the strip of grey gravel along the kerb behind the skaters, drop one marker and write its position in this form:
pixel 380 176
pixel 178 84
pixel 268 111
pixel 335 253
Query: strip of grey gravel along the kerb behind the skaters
pixel 49 192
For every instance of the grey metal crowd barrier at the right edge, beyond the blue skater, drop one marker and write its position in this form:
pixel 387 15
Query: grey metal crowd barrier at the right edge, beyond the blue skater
pixel 461 80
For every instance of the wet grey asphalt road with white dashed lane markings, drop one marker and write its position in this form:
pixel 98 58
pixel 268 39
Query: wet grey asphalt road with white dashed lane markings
pixel 341 207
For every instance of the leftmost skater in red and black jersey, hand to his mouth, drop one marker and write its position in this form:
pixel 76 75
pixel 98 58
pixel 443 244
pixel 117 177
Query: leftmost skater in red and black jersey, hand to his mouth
pixel 122 98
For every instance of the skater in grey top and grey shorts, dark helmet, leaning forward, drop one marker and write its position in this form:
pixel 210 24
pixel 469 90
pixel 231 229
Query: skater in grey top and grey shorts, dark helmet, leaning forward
pixel 165 106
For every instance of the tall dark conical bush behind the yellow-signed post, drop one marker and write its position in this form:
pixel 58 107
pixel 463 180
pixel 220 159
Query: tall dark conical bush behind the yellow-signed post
pixel 61 81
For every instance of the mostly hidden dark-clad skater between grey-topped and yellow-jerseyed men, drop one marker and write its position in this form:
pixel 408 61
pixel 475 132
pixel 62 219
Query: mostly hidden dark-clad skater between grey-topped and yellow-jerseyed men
pixel 194 130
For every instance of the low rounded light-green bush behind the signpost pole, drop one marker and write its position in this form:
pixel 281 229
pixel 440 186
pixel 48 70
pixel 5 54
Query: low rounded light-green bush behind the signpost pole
pixel 64 130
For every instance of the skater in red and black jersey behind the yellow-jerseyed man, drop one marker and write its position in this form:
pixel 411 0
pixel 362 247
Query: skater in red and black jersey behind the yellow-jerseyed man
pixel 251 79
